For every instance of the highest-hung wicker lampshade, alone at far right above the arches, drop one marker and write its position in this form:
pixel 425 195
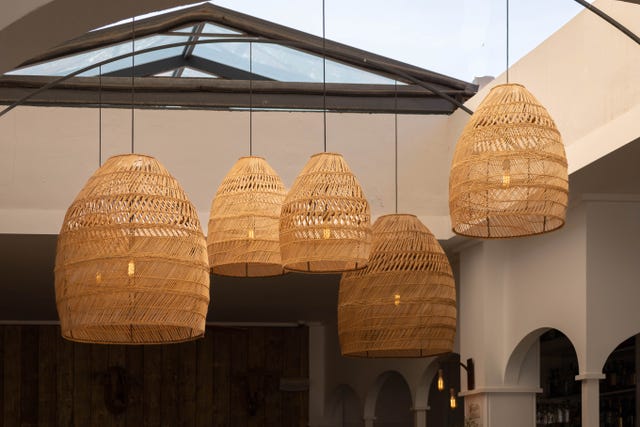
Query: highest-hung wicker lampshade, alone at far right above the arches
pixel 509 172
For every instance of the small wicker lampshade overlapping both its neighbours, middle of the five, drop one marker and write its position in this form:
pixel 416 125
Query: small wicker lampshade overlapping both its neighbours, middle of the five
pixel 325 221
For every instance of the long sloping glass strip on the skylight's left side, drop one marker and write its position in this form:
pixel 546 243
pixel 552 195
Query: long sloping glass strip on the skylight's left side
pixel 64 66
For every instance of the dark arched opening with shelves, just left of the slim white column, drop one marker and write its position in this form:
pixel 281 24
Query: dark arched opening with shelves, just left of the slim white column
pixel 559 404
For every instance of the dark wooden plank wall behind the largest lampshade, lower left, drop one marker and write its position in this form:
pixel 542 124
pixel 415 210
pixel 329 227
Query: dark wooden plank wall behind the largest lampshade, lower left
pixel 229 378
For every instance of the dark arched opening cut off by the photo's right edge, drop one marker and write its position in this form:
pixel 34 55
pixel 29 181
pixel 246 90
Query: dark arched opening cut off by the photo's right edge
pixel 619 389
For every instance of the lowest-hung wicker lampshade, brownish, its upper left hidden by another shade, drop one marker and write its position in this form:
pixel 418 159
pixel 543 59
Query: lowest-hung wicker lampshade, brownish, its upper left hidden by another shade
pixel 403 304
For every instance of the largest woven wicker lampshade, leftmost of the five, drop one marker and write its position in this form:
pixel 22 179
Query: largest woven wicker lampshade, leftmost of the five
pixel 131 262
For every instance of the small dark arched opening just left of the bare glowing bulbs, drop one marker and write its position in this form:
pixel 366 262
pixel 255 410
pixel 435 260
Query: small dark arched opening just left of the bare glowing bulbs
pixel 394 404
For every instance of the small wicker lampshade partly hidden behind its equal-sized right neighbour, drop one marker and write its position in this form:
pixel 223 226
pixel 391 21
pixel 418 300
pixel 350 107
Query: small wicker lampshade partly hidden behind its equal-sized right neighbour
pixel 244 238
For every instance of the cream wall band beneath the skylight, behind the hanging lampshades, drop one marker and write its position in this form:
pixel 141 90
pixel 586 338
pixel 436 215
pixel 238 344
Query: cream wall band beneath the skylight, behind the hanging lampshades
pixel 47 155
